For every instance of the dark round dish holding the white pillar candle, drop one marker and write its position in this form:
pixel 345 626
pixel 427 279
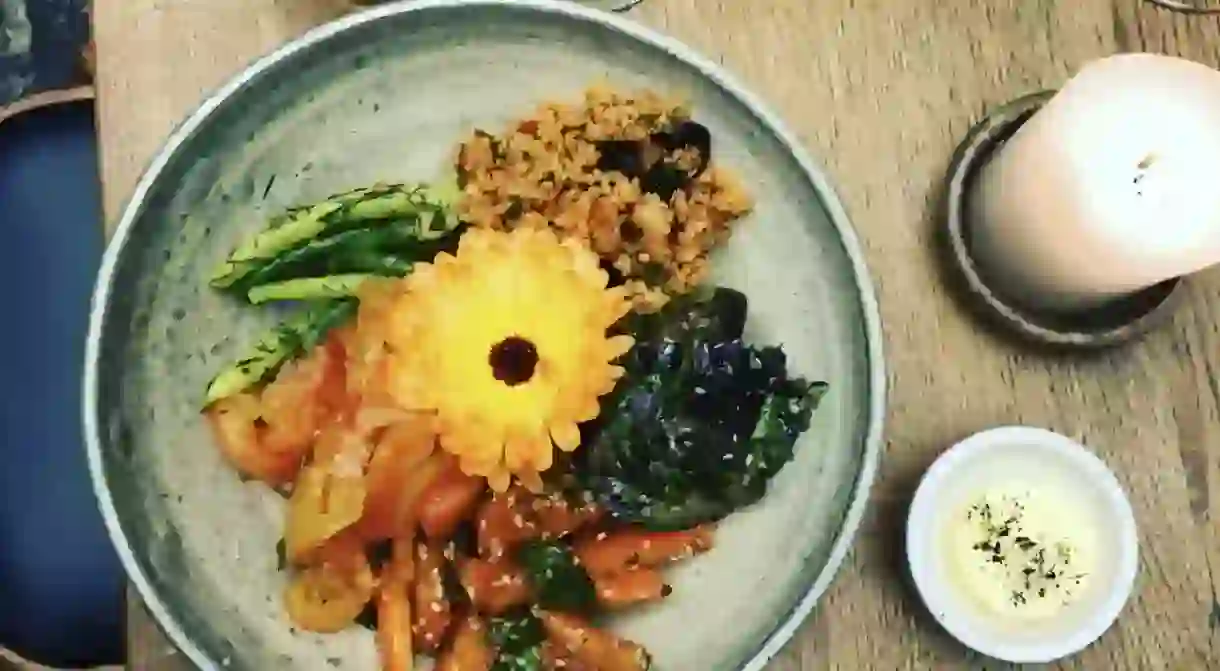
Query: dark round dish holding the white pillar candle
pixel 1111 325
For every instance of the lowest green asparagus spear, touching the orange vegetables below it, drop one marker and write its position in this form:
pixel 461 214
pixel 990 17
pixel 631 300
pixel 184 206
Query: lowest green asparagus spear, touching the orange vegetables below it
pixel 289 341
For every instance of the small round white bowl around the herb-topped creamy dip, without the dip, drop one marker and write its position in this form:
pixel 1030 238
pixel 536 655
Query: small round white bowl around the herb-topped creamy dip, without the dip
pixel 1011 456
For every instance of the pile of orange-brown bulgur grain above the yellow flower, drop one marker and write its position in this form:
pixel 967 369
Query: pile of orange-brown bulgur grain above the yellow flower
pixel 630 175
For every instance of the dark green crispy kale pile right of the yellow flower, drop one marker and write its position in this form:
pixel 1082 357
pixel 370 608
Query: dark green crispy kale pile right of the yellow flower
pixel 701 423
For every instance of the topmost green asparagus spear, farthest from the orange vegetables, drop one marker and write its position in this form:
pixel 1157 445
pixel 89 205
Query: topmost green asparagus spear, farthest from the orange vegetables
pixel 339 214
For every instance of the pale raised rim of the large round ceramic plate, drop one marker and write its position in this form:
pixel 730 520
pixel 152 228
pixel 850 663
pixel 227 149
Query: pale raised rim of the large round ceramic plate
pixel 213 103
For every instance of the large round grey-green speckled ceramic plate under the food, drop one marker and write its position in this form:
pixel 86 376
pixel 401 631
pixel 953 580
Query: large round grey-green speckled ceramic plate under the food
pixel 386 95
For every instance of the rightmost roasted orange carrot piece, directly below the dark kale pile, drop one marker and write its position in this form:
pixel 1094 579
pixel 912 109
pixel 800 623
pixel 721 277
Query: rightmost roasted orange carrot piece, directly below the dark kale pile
pixel 613 553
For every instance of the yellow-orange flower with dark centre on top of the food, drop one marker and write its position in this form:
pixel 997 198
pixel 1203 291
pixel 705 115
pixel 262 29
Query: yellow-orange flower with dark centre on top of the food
pixel 507 343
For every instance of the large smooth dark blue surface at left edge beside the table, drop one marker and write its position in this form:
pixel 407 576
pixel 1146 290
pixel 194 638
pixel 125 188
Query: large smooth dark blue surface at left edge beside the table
pixel 60 583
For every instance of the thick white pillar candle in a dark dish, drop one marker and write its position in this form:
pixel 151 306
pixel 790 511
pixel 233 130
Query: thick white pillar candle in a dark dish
pixel 1113 187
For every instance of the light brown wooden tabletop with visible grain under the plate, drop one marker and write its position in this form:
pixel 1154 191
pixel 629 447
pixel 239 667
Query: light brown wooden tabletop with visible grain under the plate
pixel 881 91
